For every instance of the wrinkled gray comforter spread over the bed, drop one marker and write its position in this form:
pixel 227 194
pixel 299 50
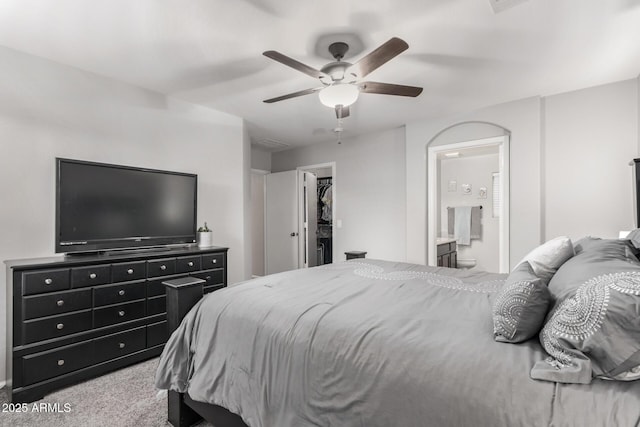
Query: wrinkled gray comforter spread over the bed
pixel 374 343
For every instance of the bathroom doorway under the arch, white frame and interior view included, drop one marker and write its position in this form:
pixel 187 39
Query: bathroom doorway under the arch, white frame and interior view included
pixel 468 205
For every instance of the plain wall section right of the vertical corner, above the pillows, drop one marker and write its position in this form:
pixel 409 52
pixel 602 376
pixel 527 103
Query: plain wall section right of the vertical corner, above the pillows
pixel 590 137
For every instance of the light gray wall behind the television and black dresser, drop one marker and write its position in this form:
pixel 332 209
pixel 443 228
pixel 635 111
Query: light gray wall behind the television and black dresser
pixel 48 110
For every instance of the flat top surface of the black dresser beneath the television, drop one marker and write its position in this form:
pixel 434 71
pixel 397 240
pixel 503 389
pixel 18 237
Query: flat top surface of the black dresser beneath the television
pixel 111 257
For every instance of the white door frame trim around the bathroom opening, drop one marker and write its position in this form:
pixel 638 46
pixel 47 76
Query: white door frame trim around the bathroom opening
pixel 502 142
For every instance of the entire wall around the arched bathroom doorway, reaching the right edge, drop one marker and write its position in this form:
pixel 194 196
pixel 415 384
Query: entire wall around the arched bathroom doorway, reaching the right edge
pixel 569 165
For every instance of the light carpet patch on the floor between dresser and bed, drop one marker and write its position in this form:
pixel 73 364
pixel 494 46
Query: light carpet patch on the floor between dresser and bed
pixel 123 398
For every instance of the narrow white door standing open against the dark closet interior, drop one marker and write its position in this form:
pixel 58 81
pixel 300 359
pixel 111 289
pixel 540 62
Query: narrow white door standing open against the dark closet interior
pixel 308 256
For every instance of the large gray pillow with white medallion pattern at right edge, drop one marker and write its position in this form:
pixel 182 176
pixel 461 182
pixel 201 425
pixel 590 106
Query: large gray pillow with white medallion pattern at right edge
pixel 593 329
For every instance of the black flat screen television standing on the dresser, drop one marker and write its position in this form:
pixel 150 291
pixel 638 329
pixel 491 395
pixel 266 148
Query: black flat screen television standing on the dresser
pixel 106 207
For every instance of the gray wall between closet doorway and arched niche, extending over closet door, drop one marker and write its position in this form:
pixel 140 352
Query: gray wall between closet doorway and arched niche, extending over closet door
pixel 369 192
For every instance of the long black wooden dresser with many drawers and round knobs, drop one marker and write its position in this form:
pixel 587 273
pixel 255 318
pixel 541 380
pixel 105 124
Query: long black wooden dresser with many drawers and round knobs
pixel 74 318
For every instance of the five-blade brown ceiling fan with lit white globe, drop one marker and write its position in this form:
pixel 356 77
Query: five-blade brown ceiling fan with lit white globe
pixel 340 80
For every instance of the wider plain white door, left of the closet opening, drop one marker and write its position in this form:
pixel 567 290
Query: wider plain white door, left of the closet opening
pixel 281 214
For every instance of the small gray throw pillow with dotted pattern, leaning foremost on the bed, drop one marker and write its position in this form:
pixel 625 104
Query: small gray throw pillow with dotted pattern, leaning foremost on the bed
pixel 520 306
